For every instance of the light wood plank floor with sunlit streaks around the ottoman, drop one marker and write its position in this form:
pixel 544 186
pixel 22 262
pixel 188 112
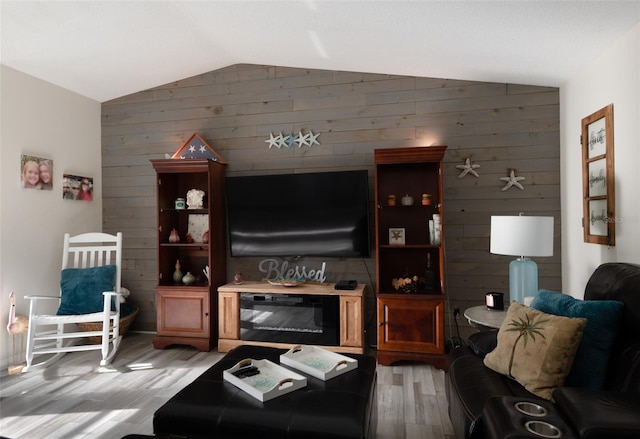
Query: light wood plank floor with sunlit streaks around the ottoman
pixel 75 398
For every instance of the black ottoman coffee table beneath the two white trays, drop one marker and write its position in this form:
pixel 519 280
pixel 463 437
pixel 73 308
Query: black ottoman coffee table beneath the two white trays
pixel 342 407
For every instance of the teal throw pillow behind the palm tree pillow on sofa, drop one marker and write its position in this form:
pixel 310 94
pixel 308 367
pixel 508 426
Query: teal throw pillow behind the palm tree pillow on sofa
pixel 603 321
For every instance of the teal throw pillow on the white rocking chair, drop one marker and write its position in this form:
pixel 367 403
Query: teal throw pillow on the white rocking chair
pixel 82 289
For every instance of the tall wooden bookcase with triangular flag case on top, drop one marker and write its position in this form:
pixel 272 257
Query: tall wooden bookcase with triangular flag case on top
pixel 188 314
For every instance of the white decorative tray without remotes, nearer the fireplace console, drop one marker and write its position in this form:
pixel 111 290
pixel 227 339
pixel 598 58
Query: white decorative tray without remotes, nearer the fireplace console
pixel 318 362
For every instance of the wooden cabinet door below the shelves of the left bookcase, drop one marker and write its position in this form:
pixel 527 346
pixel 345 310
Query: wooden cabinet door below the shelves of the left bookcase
pixel 183 312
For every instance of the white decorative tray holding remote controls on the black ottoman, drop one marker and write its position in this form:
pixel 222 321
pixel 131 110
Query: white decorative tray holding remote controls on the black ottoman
pixel 263 379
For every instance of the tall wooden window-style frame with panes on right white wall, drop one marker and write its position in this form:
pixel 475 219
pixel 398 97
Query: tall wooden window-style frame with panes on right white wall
pixel 598 181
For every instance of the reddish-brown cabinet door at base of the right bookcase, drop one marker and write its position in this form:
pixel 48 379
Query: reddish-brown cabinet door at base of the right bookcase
pixel 411 324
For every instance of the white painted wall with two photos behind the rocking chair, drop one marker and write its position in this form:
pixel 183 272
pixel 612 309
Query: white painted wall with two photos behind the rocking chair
pixel 47 121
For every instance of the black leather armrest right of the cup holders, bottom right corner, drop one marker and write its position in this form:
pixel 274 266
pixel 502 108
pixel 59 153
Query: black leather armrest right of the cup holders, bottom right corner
pixel 600 414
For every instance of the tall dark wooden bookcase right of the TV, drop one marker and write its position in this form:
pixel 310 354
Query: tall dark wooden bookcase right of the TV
pixel 410 320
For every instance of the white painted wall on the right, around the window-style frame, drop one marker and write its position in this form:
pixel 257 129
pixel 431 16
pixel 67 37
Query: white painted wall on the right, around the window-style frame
pixel 611 77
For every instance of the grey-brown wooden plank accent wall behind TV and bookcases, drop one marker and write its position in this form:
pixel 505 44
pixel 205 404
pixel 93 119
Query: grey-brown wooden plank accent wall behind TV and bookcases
pixel 499 126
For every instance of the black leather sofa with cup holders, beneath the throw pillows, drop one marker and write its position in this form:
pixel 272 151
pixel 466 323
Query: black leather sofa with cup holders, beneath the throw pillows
pixel 481 401
